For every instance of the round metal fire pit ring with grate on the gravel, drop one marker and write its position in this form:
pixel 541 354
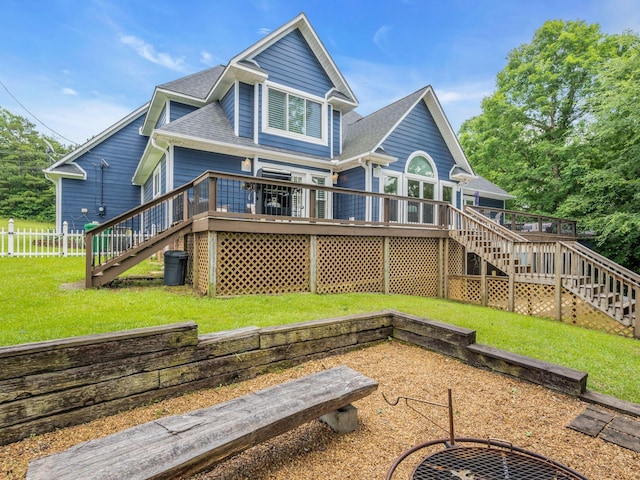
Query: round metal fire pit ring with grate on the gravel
pixel 480 459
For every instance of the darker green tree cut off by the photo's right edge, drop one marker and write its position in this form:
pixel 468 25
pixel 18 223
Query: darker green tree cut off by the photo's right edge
pixel 608 201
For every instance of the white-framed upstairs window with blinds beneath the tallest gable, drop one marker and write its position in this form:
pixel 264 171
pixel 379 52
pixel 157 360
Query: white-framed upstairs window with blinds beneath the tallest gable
pixel 295 115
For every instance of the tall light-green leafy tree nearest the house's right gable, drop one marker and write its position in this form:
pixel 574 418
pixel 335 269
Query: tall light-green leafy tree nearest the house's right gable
pixel 527 138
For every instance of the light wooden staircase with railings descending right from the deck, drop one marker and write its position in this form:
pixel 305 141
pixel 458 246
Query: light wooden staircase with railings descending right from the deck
pixel 607 286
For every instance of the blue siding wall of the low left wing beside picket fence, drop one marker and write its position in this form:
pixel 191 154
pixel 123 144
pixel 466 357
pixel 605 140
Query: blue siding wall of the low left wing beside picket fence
pixel 112 187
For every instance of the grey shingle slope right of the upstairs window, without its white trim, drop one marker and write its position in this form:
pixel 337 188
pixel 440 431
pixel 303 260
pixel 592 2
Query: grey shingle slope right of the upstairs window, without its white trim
pixel 365 134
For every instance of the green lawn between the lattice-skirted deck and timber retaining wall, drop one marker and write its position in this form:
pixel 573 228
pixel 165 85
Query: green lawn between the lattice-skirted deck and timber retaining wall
pixel 34 306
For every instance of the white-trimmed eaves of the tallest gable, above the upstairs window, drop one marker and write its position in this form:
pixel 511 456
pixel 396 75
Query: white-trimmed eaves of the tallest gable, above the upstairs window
pixel 244 63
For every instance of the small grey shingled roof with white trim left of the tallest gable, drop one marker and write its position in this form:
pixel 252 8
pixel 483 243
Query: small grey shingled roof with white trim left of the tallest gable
pixel 190 90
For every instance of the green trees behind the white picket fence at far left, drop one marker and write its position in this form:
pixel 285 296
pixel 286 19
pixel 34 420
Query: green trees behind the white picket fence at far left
pixel 24 153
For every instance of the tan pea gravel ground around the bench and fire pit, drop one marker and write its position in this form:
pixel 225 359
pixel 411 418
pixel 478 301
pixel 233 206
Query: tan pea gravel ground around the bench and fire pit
pixel 486 405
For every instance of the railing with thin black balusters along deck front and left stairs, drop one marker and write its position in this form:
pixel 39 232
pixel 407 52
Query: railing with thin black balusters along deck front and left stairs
pixel 242 197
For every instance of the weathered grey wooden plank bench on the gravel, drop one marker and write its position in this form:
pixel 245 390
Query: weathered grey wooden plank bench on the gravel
pixel 186 444
